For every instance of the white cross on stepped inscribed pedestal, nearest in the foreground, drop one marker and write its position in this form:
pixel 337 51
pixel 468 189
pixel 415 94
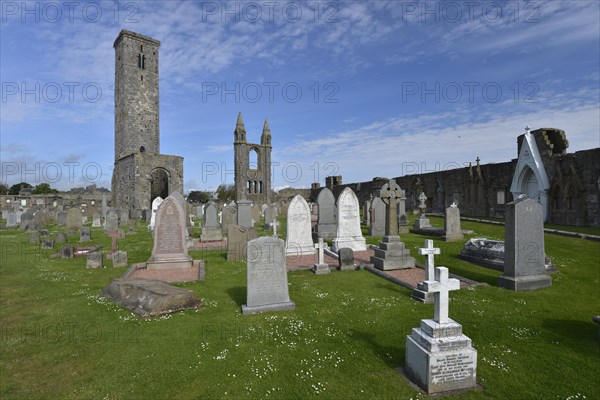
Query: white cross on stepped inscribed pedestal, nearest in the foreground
pixel 439 358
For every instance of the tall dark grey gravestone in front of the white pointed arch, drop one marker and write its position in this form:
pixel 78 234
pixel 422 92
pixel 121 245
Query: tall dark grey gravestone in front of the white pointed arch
pixel 524 257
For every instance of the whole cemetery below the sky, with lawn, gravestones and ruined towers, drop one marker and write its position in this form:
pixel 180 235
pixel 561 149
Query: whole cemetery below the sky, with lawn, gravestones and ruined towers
pixel 365 290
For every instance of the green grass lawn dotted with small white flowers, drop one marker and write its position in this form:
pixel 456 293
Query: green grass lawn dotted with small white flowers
pixel 345 339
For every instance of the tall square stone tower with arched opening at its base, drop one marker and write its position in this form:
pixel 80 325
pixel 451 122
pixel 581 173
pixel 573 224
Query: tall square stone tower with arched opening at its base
pixel 141 173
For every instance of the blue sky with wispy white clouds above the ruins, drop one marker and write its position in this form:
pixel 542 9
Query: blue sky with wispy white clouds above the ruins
pixel 352 88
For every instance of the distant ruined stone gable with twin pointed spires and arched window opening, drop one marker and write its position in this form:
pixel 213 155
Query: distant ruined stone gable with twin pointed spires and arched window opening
pixel 252 165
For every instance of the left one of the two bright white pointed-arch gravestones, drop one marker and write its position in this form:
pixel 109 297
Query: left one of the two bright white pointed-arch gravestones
pixel 299 237
